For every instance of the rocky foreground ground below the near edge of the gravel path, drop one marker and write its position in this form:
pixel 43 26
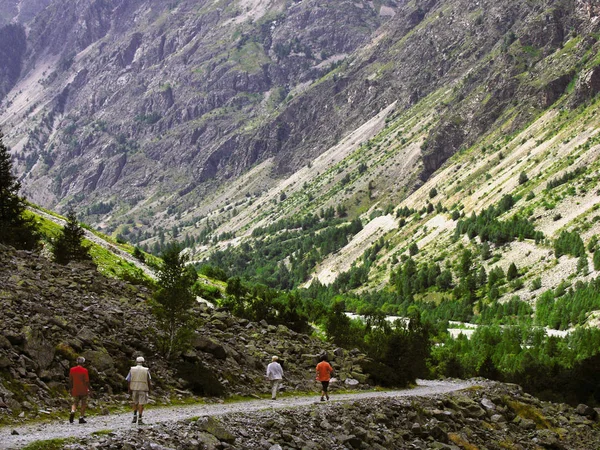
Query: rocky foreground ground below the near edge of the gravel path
pixel 483 416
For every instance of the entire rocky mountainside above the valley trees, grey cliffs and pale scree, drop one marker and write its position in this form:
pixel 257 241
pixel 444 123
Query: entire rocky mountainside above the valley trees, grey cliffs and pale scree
pixel 183 120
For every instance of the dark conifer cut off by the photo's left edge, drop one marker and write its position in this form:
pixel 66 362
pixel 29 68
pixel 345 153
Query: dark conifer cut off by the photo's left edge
pixel 15 228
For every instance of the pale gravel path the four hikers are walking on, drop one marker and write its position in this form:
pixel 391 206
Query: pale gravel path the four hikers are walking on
pixel 31 433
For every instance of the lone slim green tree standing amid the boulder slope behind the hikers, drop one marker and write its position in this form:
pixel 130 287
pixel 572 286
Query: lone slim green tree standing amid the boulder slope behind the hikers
pixel 173 301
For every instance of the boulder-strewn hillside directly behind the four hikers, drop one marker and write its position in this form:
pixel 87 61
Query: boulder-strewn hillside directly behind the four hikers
pixel 53 313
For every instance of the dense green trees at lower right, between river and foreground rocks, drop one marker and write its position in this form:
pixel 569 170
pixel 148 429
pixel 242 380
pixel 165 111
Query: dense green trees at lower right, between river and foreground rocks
pixel 552 368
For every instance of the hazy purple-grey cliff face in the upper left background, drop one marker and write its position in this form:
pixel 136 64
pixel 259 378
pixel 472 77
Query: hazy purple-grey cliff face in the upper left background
pixel 135 90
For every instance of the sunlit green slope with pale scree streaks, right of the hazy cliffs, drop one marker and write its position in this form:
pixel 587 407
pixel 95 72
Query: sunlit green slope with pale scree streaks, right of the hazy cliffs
pixel 512 93
